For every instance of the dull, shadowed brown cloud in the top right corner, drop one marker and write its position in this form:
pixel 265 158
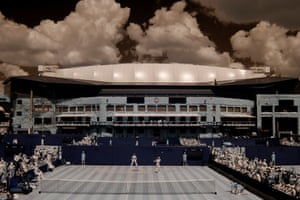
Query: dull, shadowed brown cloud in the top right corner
pixel 284 13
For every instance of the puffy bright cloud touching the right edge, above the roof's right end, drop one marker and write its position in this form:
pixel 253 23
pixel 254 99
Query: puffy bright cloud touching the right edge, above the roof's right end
pixel 269 44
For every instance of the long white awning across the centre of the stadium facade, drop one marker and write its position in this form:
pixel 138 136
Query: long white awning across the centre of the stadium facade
pixel 156 115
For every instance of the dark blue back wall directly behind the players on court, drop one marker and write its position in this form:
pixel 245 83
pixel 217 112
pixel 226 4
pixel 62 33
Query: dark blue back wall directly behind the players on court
pixel 120 155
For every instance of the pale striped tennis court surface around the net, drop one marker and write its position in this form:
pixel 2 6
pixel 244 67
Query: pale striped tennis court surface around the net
pixel 143 174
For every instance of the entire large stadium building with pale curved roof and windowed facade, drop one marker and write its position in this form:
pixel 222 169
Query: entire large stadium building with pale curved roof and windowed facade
pixel 153 100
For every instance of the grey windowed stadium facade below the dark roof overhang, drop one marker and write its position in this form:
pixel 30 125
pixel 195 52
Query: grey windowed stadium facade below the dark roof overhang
pixel 122 116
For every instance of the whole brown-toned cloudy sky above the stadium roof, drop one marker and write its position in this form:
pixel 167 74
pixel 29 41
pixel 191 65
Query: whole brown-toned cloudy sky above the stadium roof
pixel 68 33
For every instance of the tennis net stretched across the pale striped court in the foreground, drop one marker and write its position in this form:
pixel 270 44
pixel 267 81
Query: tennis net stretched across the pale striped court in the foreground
pixel 128 187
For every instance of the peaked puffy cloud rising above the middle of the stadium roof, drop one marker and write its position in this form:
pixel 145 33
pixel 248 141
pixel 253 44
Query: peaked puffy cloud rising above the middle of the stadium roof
pixel 175 34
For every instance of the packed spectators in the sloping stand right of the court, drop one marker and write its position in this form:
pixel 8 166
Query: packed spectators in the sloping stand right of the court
pixel 279 178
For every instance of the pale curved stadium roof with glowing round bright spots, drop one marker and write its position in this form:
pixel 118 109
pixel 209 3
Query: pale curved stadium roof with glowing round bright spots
pixel 154 73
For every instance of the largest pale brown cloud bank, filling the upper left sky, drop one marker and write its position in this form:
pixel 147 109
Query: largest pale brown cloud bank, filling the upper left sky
pixel 87 36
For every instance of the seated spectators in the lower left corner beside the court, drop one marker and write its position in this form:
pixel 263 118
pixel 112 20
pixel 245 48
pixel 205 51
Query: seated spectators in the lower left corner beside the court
pixel 22 173
